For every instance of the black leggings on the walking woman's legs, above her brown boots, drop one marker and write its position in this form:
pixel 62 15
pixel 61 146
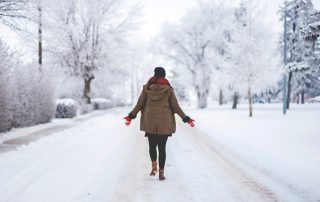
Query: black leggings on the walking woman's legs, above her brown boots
pixel 160 141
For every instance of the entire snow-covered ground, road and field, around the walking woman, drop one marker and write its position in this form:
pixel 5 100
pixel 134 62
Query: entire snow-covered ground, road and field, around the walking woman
pixel 227 157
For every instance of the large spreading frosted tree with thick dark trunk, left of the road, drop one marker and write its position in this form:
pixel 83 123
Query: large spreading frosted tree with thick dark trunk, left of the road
pixel 85 32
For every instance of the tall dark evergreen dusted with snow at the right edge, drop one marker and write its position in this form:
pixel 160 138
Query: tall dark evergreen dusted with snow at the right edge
pixel 303 32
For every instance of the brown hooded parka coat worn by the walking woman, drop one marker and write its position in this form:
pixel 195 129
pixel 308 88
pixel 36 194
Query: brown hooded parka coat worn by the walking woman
pixel 158 104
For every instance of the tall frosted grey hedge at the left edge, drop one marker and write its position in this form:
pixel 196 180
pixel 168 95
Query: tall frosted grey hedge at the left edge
pixel 26 95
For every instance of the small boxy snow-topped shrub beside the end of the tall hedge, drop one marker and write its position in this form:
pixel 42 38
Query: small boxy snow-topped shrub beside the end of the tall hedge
pixel 66 108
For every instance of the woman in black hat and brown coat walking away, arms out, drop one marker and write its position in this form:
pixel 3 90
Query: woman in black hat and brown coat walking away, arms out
pixel 158 104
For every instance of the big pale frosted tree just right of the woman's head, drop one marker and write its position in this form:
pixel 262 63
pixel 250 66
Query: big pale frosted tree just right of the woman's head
pixel 196 45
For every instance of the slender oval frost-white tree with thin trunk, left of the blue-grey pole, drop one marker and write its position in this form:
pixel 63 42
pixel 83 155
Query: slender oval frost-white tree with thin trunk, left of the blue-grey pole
pixel 252 53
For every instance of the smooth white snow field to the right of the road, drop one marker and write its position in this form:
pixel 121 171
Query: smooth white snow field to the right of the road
pixel 280 151
